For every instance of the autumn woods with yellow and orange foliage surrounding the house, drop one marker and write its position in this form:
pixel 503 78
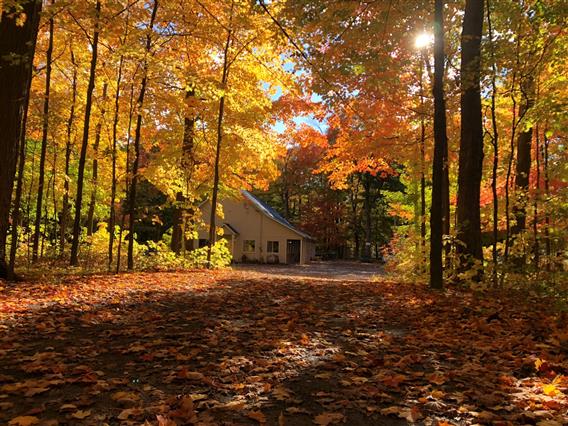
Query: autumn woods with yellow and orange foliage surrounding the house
pixel 317 131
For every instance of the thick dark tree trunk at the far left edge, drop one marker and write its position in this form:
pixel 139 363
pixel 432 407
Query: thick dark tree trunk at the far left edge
pixel 16 41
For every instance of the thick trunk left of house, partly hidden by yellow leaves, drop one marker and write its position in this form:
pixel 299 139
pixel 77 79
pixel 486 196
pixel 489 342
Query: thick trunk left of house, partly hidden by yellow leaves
pixel 187 164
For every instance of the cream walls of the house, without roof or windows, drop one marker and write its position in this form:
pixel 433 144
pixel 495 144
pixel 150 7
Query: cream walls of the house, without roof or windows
pixel 252 225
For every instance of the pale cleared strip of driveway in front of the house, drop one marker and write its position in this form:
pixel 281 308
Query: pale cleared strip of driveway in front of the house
pixel 330 270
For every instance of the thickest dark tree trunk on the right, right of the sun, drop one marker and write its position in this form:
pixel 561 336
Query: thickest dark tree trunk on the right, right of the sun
pixel 471 137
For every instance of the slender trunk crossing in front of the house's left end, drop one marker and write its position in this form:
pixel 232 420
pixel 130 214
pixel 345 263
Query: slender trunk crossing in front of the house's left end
pixel 224 78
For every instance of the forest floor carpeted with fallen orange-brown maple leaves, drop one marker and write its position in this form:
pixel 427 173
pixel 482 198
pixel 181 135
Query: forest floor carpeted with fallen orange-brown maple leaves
pixel 254 347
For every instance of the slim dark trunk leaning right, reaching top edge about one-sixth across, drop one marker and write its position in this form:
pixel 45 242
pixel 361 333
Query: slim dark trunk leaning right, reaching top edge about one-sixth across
pixel 85 143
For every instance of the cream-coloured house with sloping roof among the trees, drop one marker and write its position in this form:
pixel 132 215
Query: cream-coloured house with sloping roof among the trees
pixel 258 233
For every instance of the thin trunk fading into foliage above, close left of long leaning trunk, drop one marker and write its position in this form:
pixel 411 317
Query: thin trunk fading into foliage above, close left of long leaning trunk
pixel 68 145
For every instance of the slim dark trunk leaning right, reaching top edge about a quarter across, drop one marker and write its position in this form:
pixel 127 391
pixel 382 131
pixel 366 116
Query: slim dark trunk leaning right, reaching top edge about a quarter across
pixel 137 136
